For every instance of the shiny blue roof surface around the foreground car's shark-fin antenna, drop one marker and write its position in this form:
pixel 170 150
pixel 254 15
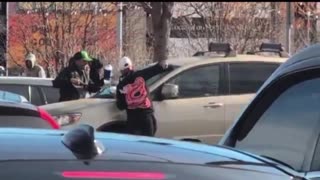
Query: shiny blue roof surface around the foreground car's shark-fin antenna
pixel 15 145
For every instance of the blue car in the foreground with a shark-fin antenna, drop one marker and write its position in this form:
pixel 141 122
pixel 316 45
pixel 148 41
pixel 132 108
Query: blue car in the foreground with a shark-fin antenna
pixel 83 154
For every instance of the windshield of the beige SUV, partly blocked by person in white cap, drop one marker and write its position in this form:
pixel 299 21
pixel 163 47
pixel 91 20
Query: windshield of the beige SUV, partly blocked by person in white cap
pixel 108 91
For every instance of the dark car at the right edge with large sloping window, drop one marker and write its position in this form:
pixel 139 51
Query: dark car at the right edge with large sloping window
pixel 283 121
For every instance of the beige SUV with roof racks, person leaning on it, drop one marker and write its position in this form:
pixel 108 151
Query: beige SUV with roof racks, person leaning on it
pixel 212 92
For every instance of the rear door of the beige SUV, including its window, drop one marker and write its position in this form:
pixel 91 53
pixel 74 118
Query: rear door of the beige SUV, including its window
pixel 245 78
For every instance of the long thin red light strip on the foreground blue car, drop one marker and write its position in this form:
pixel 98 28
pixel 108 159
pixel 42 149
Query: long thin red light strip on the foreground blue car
pixel 114 175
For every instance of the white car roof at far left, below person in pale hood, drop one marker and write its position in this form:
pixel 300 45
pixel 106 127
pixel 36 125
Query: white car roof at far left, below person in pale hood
pixel 26 80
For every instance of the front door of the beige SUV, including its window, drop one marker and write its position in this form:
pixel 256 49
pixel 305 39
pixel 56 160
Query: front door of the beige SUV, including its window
pixel 198 112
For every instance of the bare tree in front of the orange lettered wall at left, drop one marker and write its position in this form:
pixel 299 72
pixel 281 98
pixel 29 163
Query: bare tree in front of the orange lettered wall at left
pixel 59 29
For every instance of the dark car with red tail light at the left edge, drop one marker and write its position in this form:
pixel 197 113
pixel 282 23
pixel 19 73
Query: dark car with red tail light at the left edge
pixel 15 114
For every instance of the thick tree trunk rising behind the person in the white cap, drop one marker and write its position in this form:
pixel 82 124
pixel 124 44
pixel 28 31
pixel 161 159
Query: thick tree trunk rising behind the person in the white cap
pixel 161 21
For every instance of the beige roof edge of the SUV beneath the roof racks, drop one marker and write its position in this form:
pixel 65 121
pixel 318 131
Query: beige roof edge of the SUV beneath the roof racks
pixel 181 61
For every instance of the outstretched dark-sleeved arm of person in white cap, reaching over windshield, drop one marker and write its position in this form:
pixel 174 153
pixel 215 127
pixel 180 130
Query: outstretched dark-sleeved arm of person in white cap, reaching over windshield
pixel 149 72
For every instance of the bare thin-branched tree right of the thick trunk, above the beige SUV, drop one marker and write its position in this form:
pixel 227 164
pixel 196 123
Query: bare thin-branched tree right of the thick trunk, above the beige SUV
pixel 242 24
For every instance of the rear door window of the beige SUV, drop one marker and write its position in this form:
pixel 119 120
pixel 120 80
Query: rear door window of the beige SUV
pixel 249 77
